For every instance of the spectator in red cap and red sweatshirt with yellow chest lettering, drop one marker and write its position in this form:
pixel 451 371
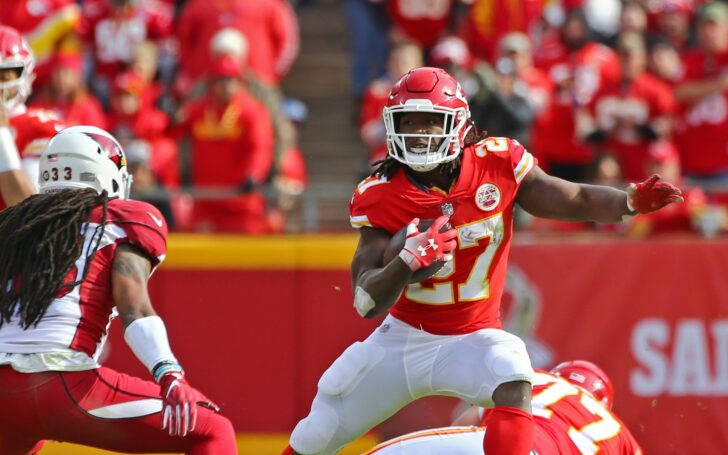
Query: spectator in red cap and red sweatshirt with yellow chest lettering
pixel 232 153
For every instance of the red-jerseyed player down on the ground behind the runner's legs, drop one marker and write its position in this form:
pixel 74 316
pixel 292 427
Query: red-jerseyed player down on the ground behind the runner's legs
pixel 572 408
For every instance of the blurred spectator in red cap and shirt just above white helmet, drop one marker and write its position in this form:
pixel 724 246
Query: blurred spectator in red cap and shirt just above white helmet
pixel 133 119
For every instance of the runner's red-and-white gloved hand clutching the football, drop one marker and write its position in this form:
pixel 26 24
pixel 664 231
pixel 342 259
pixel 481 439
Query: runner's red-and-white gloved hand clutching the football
pixel 421 249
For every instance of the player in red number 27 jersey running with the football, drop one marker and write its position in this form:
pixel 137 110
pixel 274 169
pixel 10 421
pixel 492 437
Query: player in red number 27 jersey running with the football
pixel 443 335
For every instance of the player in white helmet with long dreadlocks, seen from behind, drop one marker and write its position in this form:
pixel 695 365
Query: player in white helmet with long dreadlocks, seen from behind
pixel 73 258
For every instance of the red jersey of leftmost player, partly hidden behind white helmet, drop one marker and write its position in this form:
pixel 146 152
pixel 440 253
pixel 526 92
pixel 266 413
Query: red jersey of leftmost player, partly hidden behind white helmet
pixel 32 128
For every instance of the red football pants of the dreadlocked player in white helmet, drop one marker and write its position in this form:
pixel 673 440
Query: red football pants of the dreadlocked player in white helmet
pixel 56 405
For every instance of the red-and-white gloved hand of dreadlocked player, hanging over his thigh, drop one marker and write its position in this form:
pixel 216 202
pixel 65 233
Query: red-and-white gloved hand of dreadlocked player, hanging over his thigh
pixel 179 413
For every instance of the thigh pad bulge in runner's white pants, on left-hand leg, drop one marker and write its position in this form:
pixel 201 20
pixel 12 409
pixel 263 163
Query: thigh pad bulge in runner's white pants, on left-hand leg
pixel 350 368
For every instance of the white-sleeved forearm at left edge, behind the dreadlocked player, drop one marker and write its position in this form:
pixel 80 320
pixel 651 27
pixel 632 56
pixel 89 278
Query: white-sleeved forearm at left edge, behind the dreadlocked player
pixel 14 183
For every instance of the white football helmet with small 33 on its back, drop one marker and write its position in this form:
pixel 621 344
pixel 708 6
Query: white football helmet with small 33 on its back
pixel 84 157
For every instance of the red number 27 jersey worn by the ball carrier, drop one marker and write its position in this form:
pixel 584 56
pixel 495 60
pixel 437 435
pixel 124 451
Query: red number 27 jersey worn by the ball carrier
pixel 465 295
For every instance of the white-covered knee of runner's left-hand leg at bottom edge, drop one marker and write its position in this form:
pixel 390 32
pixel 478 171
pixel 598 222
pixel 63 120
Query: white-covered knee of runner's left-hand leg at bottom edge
pixel 314 433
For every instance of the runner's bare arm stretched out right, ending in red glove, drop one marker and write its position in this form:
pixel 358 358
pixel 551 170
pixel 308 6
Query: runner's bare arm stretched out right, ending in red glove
pixel 551 197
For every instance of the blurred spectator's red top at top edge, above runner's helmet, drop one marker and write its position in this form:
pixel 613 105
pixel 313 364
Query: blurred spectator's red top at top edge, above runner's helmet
pixel 422 22
